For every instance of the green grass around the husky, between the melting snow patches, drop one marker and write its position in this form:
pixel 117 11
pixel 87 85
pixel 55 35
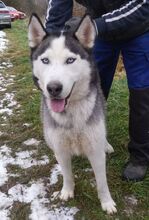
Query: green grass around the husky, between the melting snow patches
pixel 117 125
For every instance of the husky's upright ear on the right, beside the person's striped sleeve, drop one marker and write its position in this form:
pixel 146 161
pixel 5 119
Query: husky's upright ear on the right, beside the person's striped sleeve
pixel 86 32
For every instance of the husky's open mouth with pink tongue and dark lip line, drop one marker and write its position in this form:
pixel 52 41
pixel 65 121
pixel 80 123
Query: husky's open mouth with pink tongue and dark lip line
pixel 59 105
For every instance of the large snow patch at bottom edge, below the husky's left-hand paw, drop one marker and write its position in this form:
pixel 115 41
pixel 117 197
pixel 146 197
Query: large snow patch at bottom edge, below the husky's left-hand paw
pixel 36 195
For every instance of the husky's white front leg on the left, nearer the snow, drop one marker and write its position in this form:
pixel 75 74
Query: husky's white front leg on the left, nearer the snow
pixel 64 160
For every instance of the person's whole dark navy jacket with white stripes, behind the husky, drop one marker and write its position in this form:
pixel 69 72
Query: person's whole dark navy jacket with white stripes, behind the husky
pixel 114 19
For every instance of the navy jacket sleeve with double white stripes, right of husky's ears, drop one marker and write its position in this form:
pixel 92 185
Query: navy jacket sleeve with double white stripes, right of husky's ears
pixel 124 21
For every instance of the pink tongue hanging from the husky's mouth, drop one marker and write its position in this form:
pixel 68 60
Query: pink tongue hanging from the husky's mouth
pixel 58 105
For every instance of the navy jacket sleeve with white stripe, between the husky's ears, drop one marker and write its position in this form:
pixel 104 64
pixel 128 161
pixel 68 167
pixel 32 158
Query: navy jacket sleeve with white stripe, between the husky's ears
pixel 59 11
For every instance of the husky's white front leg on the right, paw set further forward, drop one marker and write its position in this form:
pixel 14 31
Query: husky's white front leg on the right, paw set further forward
pixel 98 162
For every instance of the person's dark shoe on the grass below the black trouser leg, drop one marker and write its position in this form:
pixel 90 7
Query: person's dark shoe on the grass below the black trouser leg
pixel 134 172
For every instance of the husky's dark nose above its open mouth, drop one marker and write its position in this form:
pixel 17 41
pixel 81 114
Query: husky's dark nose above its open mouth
pixel 54 88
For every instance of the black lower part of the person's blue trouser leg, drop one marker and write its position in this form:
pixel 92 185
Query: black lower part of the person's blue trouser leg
pixel 139 125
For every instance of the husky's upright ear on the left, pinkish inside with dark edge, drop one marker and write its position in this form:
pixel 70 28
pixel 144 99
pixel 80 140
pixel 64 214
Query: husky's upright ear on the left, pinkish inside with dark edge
pixel 36 31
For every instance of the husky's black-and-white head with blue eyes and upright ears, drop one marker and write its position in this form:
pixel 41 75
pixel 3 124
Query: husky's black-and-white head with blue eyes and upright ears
pixel 61 62
